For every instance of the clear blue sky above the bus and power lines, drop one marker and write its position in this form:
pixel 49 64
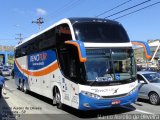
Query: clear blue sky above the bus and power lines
pixel 16 16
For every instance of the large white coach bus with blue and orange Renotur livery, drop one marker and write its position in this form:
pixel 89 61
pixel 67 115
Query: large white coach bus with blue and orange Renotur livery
pixel 85 63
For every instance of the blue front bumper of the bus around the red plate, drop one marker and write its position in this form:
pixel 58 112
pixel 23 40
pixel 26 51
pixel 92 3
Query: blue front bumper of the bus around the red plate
pixel 89 103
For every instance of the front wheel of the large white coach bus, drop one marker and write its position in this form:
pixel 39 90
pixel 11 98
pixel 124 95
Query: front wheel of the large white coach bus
pixel 58 99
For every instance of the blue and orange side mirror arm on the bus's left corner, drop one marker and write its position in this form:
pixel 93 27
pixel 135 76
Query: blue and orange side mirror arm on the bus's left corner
pixel 81 49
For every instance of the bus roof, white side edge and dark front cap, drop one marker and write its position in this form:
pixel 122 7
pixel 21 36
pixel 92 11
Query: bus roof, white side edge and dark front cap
pixel 68 21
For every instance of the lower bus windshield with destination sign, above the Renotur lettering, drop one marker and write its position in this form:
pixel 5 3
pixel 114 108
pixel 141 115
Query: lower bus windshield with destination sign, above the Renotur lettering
pixel 110 64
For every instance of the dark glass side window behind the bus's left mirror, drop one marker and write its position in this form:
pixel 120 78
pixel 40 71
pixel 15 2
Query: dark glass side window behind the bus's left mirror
pixel 69 62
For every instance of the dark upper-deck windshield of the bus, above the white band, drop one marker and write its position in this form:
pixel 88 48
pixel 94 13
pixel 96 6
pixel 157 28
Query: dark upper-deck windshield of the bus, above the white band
pixel 100 32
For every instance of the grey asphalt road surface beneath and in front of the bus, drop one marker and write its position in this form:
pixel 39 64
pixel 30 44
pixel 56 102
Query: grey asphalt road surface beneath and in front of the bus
pixel 16 105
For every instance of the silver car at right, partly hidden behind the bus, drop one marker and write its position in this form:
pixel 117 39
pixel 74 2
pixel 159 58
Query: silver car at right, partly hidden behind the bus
pixel 149 86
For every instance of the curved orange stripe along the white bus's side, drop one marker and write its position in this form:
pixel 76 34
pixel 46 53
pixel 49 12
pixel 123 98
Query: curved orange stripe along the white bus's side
pixel 39 73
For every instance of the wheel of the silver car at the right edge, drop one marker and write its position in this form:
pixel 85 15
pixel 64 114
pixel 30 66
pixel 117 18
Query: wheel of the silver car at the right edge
pixel 154 98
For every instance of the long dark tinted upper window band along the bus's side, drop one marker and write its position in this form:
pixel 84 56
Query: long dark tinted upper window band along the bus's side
pixel 45 41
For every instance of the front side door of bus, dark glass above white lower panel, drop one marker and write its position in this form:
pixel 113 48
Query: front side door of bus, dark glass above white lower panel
pixel 72 70
